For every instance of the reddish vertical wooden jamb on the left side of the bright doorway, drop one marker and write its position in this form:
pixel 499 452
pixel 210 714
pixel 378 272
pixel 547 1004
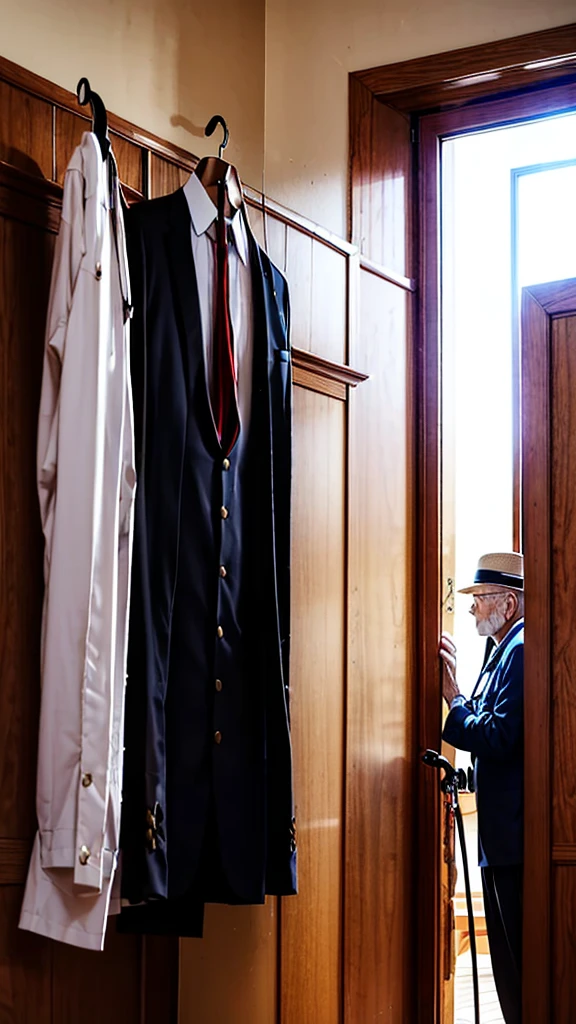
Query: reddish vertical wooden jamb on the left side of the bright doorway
pixel 429 575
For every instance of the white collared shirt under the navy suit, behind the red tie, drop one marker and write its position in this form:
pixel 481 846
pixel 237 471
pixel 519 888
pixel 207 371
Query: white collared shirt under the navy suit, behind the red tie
pixel 203 216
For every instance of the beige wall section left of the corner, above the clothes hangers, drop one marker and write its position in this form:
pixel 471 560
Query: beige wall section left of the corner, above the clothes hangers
pixel 161 64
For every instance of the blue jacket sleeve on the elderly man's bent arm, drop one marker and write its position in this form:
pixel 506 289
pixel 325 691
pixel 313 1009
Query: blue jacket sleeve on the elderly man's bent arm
pixel 498 733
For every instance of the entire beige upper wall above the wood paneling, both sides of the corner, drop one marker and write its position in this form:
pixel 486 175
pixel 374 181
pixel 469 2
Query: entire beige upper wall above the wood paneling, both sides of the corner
pixel 278 72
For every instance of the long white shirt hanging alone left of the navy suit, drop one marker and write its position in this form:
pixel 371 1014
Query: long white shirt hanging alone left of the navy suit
pixel 87 483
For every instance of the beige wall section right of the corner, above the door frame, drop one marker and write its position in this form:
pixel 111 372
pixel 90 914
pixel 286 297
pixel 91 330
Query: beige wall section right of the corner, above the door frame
pixel 311 48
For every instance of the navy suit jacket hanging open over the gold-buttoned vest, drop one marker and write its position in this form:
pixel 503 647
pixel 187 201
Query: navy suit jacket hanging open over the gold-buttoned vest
pixel 167 325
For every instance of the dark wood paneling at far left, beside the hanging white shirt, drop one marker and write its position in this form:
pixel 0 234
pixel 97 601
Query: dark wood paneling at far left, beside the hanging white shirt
pixel 25 268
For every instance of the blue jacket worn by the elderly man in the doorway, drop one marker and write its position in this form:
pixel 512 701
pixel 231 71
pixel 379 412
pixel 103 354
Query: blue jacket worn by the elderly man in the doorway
pixel 491 728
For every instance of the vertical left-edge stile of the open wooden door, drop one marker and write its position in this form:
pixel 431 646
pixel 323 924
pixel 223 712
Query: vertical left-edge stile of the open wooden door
pixel 538 681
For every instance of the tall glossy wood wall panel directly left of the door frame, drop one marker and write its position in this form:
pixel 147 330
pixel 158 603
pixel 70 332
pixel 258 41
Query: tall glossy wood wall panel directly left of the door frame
pixel 380 979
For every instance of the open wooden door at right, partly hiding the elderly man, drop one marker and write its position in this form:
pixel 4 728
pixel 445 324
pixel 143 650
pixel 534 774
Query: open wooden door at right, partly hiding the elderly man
pixel 549 344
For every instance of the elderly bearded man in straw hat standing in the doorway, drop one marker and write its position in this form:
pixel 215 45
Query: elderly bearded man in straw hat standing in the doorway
pixel 490 727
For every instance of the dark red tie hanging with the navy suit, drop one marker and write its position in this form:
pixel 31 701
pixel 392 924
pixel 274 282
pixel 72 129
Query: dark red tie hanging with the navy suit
pixel 225 404
